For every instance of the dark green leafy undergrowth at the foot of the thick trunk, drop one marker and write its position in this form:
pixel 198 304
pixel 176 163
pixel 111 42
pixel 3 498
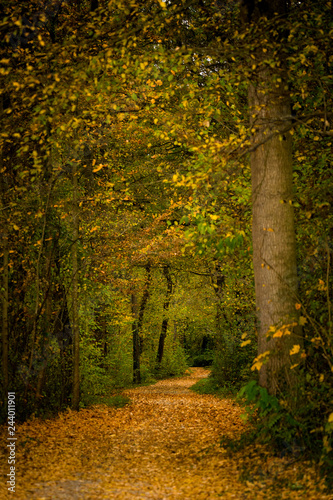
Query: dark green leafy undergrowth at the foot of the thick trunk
pixel 292 428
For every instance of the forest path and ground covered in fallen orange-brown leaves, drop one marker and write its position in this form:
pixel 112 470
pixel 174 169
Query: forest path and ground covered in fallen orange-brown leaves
pixel 165 445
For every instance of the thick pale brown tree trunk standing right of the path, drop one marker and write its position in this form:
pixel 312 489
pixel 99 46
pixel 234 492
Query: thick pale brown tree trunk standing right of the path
pixel 274 245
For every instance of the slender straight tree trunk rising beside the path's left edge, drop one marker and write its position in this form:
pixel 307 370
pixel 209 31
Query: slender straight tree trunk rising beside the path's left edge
pixel 75 311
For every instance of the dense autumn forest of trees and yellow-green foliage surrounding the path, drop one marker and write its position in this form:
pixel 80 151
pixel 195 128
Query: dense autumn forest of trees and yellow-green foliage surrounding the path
pixel 166 201
